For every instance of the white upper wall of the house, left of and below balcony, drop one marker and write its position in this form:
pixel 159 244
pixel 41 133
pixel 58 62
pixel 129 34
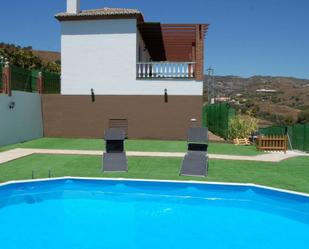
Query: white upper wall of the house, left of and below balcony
pixel 102 54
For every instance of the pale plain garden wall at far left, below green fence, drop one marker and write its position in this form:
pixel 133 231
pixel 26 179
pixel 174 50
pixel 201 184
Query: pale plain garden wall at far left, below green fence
pixel 22 122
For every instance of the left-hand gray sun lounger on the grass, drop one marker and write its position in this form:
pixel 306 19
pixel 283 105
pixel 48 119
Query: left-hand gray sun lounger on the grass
pixel 114 159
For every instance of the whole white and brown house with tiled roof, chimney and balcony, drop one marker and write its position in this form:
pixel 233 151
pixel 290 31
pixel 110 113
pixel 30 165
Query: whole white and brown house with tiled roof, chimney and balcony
pixel 120 71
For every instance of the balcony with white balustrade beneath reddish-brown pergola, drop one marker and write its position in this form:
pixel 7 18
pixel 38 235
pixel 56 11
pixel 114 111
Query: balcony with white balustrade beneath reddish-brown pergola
pixel 170 51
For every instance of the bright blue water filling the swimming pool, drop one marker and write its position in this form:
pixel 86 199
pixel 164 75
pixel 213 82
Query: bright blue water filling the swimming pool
pixel 93 214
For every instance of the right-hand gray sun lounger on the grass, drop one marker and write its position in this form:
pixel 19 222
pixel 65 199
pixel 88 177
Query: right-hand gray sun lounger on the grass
pixel 195 162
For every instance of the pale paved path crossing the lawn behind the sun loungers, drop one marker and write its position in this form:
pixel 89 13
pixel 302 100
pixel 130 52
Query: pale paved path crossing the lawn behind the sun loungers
pixel 269 157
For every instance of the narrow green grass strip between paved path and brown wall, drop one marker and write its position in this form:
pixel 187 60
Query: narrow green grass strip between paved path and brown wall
pixel 132 145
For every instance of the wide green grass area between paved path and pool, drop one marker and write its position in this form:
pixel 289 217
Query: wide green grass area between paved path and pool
pixel 292 174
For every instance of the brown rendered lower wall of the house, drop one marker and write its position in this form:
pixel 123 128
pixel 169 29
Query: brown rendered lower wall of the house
pixel 149 117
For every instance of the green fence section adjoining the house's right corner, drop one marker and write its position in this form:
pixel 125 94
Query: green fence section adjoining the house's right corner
pixel 216 117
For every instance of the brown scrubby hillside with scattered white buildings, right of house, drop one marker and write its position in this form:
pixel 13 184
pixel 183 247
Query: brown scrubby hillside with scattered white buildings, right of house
pixel 278 99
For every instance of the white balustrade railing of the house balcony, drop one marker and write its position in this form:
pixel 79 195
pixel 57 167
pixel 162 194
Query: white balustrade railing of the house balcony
pixel 166 70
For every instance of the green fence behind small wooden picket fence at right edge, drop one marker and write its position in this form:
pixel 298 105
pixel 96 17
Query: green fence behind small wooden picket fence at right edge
pixel 298 135
